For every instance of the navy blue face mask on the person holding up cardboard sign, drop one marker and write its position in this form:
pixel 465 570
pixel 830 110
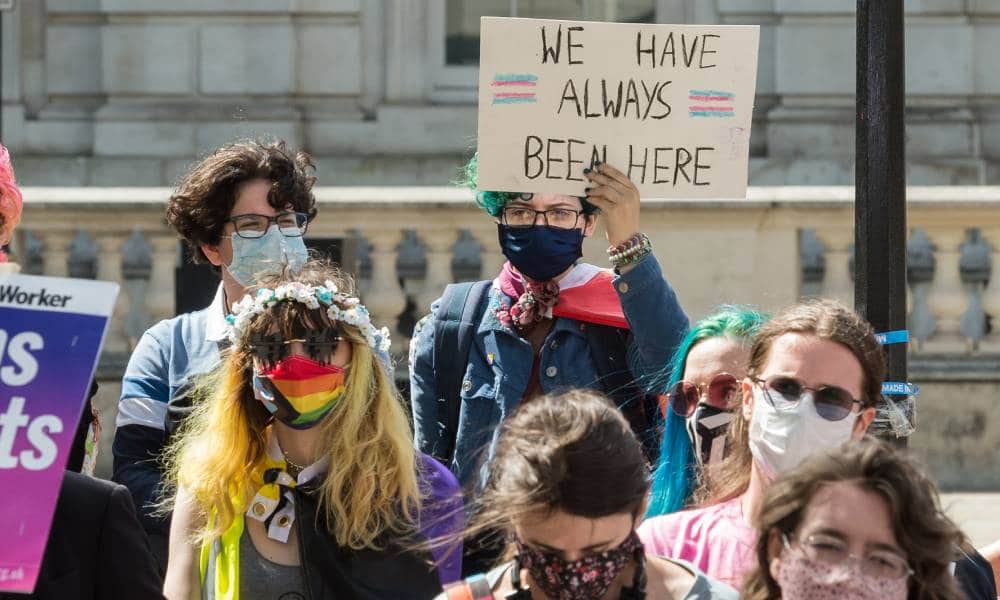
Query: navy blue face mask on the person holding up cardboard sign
pixel 540 252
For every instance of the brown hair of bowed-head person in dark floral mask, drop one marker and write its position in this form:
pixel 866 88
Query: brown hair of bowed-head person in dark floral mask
pixel 573 452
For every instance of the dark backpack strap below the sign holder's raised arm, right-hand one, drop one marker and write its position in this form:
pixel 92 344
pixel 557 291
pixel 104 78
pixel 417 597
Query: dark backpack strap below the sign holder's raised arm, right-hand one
pixel 609 348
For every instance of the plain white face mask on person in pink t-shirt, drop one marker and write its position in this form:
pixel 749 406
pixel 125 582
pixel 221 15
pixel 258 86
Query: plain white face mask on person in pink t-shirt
pixel 780 440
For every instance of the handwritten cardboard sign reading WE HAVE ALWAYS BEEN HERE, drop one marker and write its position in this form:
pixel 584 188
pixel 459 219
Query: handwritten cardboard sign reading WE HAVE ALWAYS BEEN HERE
pixel 669 105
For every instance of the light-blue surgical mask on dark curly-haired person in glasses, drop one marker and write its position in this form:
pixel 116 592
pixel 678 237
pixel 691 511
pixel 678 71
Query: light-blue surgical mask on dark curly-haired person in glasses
pixel 269 254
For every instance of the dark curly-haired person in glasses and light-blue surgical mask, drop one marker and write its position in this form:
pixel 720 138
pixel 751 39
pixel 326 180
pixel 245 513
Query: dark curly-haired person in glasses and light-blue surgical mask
pixel 244 210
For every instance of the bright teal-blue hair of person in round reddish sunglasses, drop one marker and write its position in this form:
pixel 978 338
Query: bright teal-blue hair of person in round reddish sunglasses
pixel 677 469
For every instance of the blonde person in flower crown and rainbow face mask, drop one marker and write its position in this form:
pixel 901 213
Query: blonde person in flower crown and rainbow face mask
pixel 296 475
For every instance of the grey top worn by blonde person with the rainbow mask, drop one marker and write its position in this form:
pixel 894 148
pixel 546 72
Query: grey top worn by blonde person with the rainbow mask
pixel 259 577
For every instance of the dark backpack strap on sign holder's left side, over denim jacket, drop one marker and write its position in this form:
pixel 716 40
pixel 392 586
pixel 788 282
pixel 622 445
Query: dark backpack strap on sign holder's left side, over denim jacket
pixel 455 324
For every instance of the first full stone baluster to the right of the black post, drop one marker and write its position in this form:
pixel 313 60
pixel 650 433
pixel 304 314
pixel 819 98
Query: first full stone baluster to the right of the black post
pixel 946 298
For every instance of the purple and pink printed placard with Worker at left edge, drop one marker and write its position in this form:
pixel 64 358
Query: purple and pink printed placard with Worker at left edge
pixel 51 331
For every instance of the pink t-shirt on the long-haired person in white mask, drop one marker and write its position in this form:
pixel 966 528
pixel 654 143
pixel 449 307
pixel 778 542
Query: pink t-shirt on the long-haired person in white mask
pixel 716 539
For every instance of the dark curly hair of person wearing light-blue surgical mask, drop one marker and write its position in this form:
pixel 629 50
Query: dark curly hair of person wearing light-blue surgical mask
pixel 204 198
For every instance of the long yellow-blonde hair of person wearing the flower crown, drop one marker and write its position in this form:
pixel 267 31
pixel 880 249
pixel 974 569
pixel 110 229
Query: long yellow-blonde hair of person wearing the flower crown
pixel 371 485
